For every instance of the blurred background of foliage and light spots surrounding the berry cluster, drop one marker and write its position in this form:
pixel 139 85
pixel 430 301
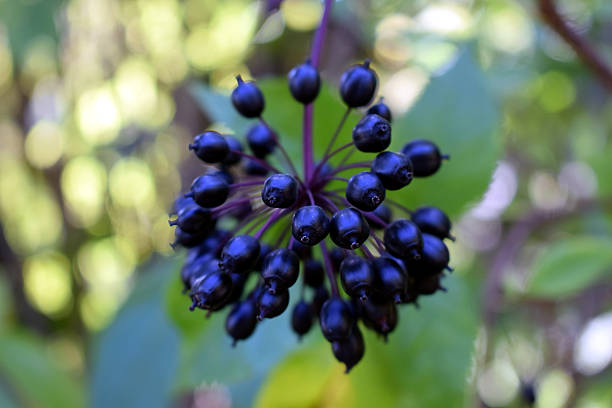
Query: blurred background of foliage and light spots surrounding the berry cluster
pixel 100 99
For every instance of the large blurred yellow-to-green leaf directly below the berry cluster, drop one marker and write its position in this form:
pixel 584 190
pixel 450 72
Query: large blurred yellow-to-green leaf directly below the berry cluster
pixel 431 345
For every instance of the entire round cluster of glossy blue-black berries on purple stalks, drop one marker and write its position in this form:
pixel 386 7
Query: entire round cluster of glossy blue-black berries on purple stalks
pixel 280 217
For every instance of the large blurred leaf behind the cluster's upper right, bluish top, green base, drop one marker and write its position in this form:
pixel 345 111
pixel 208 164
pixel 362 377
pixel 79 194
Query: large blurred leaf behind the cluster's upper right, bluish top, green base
pixel 457 112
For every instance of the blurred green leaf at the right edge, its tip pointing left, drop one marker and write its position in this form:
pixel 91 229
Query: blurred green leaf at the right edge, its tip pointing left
pixel 568 266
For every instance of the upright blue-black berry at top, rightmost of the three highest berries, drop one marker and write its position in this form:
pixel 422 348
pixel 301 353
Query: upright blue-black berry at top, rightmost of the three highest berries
pixel 358 85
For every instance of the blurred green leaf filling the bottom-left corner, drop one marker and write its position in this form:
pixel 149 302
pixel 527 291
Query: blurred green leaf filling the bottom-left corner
pixel 33 376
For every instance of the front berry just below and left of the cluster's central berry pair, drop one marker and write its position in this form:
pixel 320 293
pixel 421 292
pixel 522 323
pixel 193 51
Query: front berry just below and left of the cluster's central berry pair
pixel 281 269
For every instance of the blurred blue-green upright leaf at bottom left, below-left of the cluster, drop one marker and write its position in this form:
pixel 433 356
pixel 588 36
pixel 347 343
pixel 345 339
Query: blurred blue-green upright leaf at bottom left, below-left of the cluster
pixel 135 359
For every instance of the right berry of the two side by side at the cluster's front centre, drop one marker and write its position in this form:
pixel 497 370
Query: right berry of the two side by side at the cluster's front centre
pixel 349 229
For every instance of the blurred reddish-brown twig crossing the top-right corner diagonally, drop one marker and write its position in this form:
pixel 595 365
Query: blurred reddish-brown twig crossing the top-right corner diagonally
pixel 550 14
